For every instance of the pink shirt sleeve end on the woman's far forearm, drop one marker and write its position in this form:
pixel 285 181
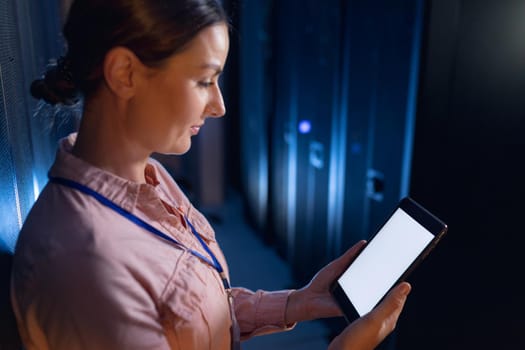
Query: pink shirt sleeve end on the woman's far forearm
pixel 260 312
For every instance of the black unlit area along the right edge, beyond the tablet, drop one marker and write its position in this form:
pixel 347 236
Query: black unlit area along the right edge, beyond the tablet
pixel 468 168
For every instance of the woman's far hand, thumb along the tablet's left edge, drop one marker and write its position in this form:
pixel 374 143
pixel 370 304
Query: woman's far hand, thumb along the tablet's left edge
pixel 314 300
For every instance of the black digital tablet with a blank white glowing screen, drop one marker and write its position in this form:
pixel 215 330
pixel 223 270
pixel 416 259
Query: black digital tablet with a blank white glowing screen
pixel 403 241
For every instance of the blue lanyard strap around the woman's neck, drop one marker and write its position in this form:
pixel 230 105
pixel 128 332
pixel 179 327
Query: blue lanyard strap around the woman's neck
pixel 138 221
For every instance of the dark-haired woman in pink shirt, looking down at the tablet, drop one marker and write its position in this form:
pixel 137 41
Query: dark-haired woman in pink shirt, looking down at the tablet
pixel 112 254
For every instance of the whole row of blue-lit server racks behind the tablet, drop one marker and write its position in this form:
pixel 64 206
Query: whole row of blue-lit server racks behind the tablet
pixel 342 128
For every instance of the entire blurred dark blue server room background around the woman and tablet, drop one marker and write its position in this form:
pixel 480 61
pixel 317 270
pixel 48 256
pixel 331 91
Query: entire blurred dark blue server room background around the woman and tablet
pixel 335 111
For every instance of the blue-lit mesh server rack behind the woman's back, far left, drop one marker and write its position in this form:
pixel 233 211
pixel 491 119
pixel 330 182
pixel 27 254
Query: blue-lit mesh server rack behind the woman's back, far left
pixel 29 37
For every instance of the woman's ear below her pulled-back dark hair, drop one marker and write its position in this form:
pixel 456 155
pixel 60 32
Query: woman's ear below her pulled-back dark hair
pixel 122 70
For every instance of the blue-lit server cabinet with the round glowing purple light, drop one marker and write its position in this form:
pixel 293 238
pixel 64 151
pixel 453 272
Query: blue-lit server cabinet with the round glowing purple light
pixel 306 95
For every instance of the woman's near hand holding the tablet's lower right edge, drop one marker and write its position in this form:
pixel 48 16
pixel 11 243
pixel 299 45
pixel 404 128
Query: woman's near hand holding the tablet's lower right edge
pixel 368 331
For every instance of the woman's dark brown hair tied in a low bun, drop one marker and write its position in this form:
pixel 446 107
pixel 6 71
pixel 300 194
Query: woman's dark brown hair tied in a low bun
pixel 154 30
